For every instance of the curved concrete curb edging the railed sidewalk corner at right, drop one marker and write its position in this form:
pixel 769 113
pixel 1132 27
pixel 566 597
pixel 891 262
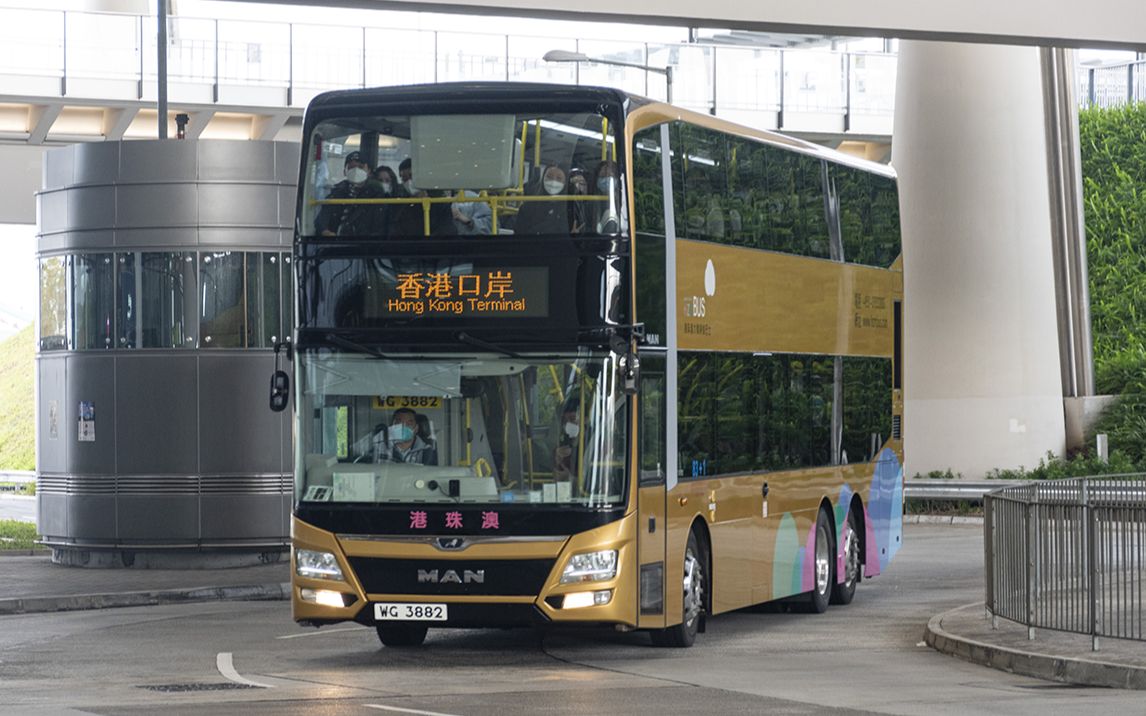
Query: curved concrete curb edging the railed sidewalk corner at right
pixel 1064 670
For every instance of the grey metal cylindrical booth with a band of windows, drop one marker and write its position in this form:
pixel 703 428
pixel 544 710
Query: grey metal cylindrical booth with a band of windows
pixel 166 281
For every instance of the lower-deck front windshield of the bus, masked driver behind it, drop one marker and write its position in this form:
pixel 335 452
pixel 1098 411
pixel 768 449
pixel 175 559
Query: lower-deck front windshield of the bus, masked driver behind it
pixel 461 429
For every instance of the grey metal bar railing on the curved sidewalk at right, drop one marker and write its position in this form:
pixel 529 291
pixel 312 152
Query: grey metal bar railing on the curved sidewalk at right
pixel 1069 556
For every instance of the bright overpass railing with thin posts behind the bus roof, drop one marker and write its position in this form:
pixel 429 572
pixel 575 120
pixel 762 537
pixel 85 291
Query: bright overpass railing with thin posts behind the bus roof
pixel 113 57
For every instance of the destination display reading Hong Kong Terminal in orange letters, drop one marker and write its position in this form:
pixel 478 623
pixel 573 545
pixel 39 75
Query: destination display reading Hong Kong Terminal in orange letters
pixel 460 292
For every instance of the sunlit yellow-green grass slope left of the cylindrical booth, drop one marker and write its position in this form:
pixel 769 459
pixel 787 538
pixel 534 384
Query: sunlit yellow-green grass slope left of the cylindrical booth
pixel 18 421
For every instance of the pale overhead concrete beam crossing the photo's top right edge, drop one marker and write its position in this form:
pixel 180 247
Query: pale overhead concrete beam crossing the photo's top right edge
pixel 1058 23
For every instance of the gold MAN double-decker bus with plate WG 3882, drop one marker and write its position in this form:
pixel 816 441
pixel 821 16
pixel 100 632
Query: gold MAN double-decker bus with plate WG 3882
pixel 569 357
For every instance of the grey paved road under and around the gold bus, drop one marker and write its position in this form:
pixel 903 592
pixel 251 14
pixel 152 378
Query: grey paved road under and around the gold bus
pixel 248 658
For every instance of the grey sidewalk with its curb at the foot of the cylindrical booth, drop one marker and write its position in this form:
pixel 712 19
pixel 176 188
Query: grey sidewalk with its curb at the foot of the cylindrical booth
pixel 33 584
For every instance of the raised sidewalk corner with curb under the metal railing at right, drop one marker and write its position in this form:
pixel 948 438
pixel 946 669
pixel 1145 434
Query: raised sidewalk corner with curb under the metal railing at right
pixel 1067 658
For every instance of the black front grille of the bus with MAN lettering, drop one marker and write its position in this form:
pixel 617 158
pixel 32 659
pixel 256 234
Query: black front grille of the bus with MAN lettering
pixel 503 578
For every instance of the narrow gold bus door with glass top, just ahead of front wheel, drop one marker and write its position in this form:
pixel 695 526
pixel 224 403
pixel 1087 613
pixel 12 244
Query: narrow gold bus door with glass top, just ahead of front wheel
pixel 653 463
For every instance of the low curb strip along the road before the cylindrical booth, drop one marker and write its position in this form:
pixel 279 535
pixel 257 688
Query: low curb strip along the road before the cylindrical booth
pixel 38 605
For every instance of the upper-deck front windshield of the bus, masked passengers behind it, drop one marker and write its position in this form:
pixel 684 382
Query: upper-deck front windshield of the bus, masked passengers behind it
pixel 381 177
